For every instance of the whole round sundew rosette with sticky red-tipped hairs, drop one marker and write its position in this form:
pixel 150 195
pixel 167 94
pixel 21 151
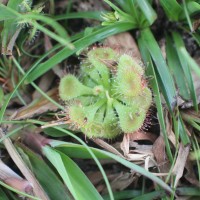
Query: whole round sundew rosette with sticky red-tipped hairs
pixel 110 97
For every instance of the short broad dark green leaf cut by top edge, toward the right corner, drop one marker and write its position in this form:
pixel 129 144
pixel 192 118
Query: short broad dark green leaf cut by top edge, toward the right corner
pixel 171 8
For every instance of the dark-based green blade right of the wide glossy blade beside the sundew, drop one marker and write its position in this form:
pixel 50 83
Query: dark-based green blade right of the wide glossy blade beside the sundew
pixel 176 69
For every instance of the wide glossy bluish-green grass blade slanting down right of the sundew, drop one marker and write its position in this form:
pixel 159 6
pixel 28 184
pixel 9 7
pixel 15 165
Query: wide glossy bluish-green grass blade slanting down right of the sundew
pixel 166 81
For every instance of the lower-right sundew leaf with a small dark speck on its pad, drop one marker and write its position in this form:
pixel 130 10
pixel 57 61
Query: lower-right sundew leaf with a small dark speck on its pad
pixel 130 118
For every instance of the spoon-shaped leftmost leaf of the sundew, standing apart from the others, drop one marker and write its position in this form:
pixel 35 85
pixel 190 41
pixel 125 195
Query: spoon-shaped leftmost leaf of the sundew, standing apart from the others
pixel 70 87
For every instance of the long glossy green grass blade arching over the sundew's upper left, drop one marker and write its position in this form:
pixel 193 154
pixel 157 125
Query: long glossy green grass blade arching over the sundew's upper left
pixel 80 44
